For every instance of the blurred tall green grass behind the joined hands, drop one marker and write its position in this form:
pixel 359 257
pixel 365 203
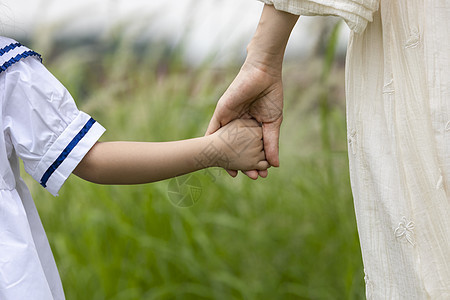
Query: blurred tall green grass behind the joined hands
pixel 290 236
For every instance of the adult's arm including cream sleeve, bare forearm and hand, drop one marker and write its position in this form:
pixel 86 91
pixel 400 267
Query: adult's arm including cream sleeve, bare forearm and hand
pixel 257 90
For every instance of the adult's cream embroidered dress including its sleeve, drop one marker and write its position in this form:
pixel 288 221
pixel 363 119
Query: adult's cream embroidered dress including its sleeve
pixel 398 122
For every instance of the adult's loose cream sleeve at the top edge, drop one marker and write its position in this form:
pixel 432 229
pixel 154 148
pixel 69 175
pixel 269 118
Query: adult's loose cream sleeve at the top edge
pixel 356 13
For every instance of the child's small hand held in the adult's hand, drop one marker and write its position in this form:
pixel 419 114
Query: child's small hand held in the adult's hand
pixel 240 146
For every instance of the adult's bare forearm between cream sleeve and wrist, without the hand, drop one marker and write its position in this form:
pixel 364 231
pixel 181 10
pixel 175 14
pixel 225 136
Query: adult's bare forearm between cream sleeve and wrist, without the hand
pixel 269 43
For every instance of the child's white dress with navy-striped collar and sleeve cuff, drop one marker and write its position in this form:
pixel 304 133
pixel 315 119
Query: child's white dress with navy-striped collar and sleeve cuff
pixel 42 126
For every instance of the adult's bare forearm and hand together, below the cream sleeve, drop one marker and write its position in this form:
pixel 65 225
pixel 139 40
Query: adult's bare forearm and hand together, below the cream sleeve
pixel 257 91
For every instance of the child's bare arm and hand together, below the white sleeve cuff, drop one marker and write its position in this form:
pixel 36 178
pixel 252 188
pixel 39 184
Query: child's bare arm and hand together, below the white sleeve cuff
pixel 236 146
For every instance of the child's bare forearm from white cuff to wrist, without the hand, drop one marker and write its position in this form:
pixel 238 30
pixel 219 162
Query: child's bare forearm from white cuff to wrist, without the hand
pixel 138 162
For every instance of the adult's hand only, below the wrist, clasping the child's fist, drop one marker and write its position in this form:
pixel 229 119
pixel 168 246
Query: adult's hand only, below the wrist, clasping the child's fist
pixel 256 92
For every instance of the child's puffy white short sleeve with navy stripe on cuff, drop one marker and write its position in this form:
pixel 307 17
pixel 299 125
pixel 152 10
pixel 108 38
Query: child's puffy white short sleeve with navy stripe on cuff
pixel 43 124
